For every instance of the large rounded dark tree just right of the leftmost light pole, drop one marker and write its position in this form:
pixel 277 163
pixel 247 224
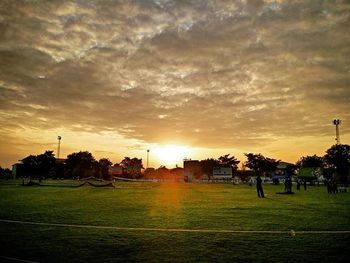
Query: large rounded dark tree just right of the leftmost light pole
pixel 80 164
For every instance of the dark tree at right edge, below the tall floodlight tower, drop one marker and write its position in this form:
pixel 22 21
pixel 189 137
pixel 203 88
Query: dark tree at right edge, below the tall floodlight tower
pixel 338 157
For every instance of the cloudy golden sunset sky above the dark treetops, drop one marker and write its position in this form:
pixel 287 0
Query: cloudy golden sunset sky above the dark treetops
pixel 184 79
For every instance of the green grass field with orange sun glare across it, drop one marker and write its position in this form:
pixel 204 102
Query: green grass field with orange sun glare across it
pixel 173 206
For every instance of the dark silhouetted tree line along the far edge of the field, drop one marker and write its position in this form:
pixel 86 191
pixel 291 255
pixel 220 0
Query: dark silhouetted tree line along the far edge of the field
pixel 336 162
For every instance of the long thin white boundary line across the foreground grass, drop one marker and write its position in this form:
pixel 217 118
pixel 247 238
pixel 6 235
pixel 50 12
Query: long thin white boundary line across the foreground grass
pixel 179 229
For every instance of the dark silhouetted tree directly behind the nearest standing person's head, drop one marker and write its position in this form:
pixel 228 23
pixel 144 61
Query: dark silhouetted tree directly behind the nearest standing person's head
pixel 260 164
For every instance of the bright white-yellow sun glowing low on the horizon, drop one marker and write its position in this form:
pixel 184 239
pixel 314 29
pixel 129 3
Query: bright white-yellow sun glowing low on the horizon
pixel 171 155
